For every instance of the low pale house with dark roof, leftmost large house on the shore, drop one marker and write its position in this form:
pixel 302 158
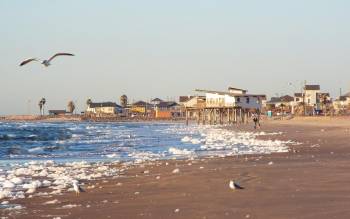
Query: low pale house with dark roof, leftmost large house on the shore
pixel 103 108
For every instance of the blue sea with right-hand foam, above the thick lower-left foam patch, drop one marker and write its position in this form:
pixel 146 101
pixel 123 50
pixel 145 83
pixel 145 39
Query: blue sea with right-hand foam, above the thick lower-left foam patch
pixel 67 141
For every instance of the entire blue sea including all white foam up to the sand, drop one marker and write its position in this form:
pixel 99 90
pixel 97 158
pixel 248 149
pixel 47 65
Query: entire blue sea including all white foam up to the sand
pixel 52 155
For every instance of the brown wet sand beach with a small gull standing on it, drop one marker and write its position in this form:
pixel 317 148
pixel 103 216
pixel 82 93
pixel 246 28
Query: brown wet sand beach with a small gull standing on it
pixel 310 181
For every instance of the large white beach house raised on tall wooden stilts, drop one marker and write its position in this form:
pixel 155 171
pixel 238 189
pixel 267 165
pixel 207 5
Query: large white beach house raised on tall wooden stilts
pixel 232 106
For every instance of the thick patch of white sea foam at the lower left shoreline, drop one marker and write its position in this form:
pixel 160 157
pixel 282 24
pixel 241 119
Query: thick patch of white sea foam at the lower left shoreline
pixel 57 177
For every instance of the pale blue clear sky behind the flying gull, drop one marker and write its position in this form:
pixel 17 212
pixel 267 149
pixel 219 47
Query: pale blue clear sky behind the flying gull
pixel 159 48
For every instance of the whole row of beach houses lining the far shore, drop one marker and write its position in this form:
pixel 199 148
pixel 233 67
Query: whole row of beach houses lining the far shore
pixel 231 105
